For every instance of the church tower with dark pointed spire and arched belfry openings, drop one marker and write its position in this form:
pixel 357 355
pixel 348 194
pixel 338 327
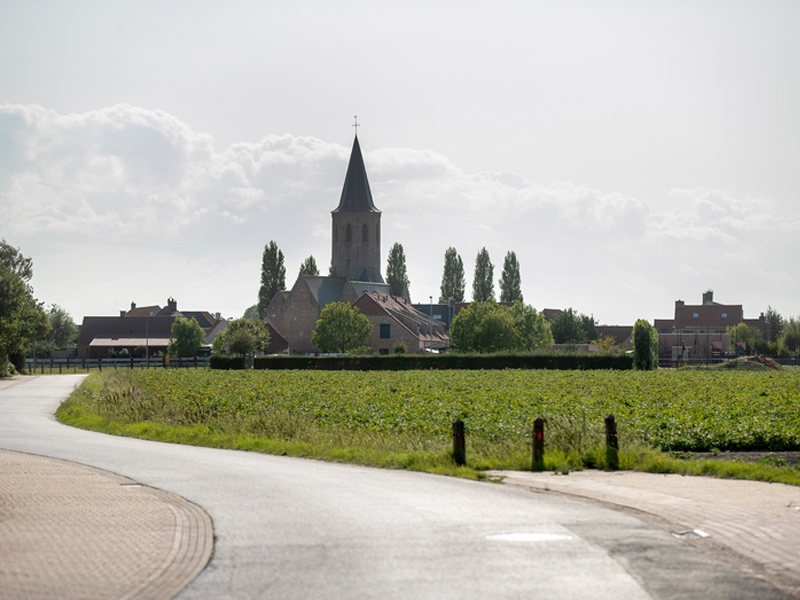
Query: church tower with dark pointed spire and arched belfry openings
pixel 356 226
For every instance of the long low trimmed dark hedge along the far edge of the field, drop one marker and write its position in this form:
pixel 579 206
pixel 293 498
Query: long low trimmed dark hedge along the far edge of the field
pixel 404 362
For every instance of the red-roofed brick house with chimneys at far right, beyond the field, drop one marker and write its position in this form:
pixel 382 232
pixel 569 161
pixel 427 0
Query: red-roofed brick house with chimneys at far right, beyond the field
pixel 701 329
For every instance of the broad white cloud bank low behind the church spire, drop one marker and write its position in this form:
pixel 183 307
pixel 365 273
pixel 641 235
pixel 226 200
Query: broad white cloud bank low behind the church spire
pixel 133 183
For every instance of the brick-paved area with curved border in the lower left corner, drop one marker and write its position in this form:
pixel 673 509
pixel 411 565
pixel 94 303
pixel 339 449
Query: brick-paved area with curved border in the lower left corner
pixel 69 531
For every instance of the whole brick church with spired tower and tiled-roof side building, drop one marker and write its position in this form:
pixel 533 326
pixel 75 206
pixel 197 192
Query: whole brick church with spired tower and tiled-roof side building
pixel 355 278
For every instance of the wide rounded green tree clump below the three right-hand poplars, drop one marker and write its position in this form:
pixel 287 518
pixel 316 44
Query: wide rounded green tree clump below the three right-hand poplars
pixel 491 327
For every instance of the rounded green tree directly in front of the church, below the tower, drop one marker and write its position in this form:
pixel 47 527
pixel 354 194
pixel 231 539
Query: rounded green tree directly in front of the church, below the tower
pixel 341 328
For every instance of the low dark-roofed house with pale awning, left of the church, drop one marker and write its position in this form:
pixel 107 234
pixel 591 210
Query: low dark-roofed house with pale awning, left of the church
pixel 148 328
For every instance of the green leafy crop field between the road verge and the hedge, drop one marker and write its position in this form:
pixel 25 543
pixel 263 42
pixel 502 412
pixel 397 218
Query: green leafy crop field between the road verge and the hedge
pixel 666 409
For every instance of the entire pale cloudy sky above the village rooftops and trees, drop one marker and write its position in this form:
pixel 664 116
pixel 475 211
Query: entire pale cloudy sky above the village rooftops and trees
pixel 630 153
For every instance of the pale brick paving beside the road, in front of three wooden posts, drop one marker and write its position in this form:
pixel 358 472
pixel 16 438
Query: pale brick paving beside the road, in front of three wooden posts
pixel 754 525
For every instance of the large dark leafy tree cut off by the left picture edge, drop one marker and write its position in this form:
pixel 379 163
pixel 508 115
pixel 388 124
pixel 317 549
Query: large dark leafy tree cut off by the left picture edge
pixel 22 317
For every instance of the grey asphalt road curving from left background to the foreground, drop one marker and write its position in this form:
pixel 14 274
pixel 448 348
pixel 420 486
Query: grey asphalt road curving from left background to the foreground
pixel 292 528
